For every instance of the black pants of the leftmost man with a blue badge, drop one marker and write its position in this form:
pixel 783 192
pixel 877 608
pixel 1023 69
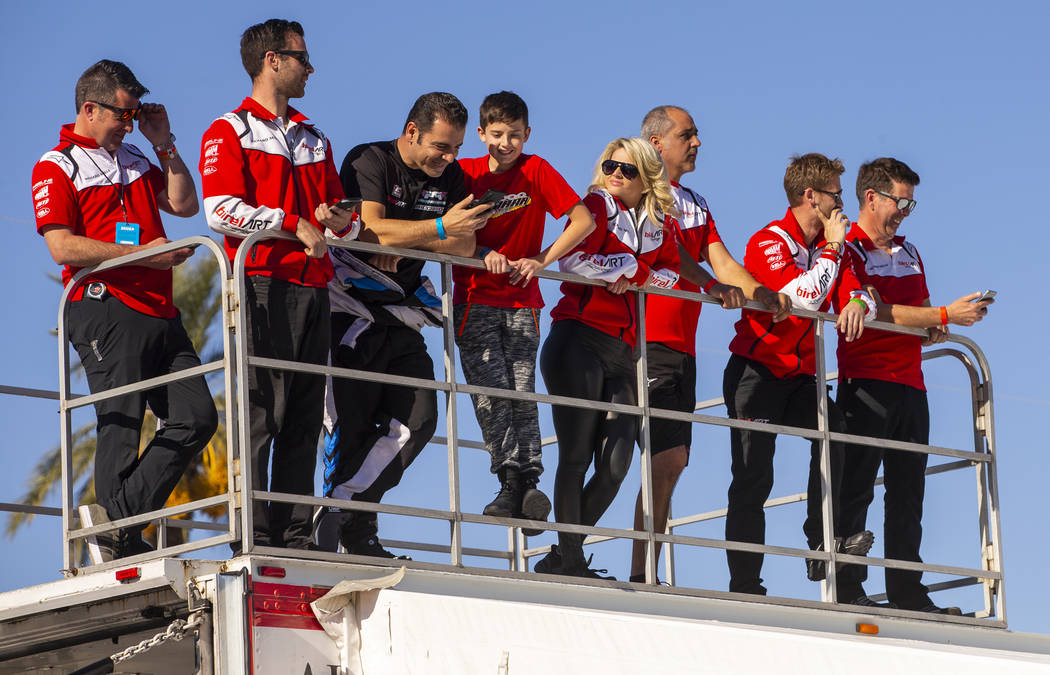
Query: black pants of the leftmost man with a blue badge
pixel 119 346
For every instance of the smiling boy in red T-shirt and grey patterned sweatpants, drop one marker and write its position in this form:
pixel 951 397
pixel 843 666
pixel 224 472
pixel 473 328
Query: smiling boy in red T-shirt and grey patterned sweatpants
pixel 497 311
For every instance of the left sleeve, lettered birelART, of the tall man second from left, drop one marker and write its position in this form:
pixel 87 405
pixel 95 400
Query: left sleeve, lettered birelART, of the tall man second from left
pixel 225 194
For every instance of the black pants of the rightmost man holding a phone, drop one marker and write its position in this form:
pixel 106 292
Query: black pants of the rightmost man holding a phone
pixel 900 413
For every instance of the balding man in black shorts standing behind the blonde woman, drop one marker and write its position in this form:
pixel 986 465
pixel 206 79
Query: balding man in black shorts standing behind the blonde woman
pixel 671 323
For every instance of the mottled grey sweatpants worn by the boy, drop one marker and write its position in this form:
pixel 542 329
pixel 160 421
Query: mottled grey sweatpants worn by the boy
pixel 498 348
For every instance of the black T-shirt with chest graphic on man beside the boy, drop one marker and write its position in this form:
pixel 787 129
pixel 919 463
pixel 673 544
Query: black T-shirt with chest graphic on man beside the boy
pixel 375 173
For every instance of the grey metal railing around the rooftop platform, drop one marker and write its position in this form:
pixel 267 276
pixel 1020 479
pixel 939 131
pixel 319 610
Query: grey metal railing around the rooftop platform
pixel 237 361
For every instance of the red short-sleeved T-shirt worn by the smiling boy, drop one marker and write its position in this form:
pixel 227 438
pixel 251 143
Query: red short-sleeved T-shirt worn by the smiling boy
pixel 515 226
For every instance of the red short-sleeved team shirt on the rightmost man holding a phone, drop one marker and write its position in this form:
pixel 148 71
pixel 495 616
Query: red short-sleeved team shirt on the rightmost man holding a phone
pixel 900 279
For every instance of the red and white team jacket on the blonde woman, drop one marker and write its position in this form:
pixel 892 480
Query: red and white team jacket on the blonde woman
pixel 624 244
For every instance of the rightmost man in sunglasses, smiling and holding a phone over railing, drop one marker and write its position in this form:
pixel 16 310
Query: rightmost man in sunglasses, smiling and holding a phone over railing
pixel 881 390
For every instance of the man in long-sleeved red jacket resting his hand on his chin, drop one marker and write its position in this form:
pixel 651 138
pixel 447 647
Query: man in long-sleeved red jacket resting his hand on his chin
pixel 770 377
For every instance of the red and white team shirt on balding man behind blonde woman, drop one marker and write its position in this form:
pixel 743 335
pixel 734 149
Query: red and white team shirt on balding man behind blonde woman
pixel 673 322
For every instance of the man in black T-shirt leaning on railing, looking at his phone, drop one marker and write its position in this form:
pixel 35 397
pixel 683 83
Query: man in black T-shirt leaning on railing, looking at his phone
pixel 412 196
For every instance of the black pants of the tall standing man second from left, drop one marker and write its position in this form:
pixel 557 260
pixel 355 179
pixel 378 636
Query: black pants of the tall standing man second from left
pixel 290 323
